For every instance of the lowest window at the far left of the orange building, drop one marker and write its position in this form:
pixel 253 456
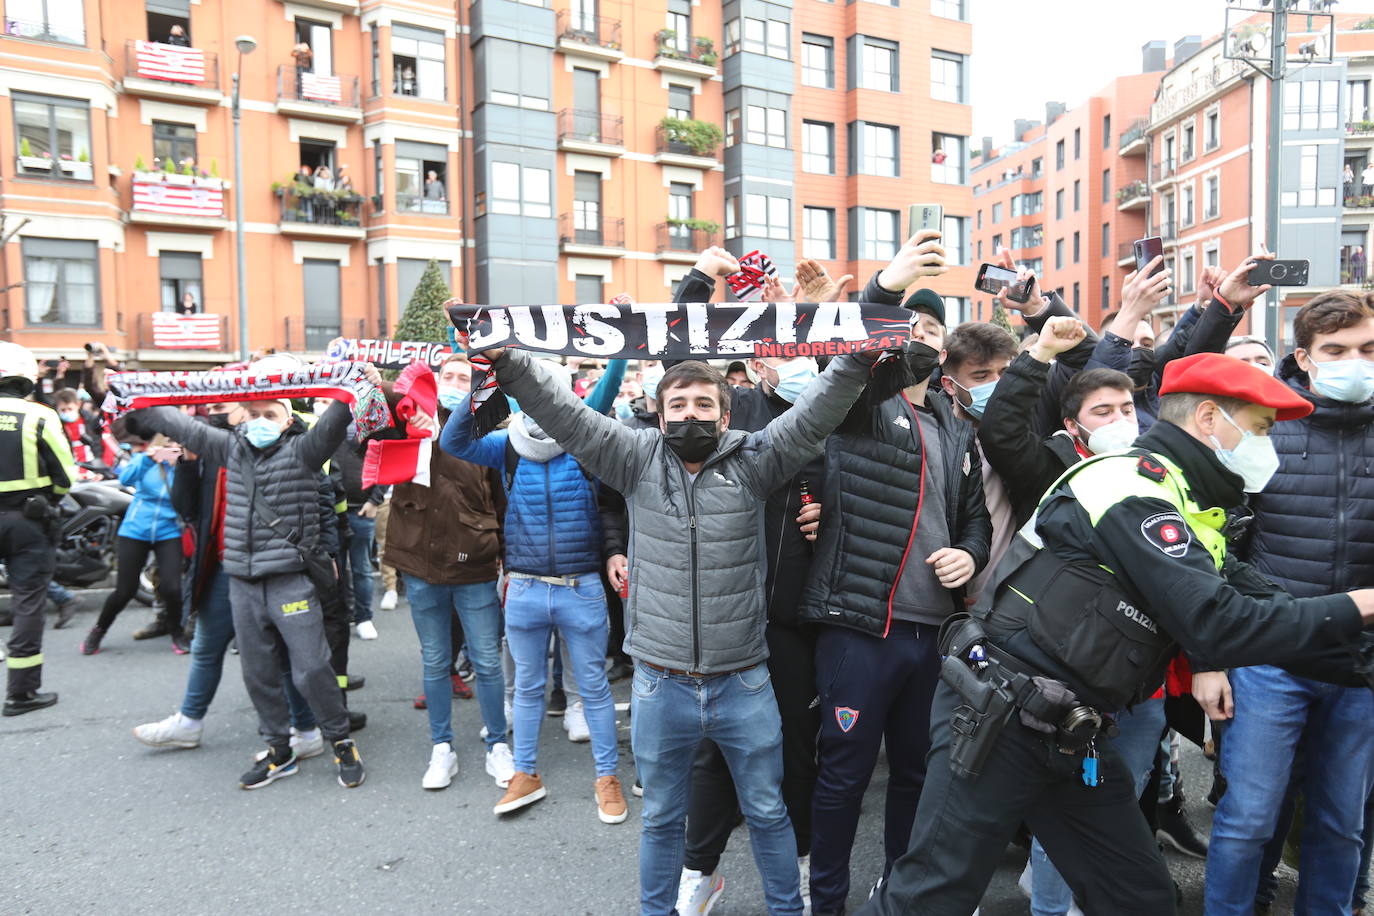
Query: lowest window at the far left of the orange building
pixel 61 282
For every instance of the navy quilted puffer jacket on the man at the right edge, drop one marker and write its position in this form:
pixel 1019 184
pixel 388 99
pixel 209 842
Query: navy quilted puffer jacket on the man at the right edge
pixel 1314 524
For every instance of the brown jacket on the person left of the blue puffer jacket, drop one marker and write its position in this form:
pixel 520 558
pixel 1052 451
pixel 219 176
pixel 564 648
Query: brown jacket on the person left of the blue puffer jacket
pixel 449 534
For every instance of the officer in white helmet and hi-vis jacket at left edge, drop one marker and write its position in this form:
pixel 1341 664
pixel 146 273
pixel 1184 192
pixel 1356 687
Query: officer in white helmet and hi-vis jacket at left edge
pixel 35 465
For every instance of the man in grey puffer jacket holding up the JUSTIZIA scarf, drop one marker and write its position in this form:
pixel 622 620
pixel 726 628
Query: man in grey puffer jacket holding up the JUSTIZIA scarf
pixel 696 491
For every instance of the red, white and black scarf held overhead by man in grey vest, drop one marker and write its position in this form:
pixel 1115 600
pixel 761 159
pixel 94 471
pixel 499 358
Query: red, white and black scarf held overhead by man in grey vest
pixel 339 381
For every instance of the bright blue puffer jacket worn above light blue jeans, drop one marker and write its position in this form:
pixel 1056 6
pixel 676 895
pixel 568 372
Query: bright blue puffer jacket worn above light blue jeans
pixel 553 527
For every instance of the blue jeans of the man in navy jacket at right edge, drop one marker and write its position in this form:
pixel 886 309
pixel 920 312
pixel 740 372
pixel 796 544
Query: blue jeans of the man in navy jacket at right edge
pixel 1274 712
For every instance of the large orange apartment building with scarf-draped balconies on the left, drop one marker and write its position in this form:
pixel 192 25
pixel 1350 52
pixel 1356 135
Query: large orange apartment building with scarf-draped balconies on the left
pixel 538 154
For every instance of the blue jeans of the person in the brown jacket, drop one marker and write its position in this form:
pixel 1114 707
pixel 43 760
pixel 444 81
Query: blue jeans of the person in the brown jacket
pixel 432 609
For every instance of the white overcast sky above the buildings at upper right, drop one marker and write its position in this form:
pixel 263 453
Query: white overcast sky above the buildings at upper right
pixel 1027 53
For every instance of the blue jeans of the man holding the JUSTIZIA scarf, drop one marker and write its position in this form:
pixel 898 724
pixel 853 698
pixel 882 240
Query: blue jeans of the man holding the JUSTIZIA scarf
pixel 670 716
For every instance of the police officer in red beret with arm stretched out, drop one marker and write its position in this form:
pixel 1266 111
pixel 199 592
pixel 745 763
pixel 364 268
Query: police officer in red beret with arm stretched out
pixel 1126 561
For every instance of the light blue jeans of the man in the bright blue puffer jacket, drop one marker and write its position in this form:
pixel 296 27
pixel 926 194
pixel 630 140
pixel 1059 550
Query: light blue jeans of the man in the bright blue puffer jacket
pixel 534 609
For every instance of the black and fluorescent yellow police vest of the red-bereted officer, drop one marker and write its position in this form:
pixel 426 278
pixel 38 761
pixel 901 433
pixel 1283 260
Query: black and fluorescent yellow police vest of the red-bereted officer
pixel 1083 617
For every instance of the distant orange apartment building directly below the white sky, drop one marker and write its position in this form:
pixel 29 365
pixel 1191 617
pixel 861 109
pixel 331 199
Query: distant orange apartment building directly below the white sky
pixel 1070 197
